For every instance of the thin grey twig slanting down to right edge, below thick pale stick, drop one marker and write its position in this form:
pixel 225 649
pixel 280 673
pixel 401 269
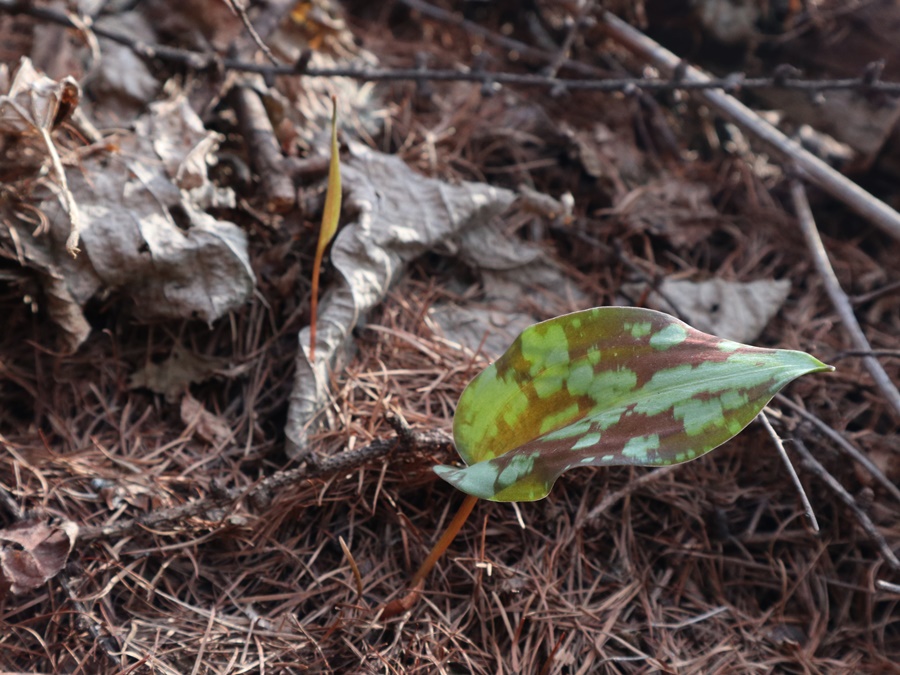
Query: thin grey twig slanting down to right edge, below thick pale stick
pixel 838 298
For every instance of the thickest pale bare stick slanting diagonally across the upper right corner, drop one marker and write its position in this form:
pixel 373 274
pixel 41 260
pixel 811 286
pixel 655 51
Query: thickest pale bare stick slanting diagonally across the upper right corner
pixel 831 181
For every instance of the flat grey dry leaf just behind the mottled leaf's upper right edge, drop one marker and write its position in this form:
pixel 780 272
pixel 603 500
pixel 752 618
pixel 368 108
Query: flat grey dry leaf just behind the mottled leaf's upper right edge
pixel 730 309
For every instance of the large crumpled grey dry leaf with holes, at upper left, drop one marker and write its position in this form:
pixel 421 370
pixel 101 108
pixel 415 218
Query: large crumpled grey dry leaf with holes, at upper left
pixel 141 233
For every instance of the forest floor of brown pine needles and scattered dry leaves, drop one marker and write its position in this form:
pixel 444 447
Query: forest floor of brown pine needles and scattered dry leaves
pixel 172 525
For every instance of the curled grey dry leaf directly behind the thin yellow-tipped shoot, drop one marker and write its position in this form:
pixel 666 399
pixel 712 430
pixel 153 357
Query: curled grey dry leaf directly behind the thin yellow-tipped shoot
pixel 401 214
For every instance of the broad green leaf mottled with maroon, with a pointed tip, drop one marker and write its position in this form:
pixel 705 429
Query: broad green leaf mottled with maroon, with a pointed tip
pixel 608 386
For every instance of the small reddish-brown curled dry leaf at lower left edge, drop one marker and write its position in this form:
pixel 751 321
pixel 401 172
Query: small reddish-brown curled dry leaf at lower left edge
pixel 33 552
